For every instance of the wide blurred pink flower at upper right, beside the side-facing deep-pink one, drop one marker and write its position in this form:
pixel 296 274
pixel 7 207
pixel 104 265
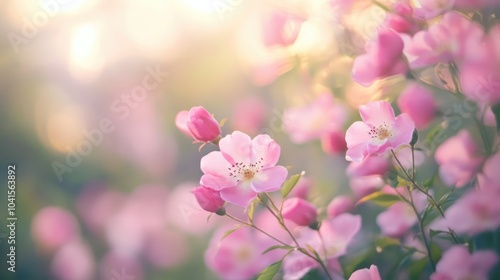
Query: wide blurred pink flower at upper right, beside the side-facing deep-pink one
pixel 446 41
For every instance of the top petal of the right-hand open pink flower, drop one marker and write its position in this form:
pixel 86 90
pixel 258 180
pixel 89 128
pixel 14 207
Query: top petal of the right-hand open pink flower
pixel 377 113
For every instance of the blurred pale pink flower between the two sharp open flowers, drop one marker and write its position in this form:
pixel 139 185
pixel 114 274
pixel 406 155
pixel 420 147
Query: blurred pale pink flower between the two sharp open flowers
pixel 315 120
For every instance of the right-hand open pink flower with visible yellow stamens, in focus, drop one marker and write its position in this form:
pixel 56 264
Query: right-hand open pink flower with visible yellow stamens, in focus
pixel 379 131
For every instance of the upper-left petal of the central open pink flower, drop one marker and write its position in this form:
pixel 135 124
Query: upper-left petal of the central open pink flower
pixel 236 147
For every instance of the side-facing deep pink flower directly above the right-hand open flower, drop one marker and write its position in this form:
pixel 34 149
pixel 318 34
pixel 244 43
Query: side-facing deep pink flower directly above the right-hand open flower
pixel 383 59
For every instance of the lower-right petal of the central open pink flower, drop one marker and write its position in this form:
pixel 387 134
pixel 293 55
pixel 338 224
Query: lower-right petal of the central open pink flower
pixel 269 179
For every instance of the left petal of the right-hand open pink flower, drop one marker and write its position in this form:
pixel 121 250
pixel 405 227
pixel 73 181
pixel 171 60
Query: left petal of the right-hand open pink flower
pixel 357 139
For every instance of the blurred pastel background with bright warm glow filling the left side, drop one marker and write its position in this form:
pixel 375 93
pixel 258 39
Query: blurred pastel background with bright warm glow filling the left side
pixel 120 207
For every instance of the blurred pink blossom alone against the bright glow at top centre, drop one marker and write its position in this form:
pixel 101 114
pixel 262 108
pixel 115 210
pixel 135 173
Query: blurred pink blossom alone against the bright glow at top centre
pixel 281 28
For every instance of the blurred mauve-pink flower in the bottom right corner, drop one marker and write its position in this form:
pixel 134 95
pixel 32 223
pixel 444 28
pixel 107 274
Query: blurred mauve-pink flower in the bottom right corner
pixel 457 263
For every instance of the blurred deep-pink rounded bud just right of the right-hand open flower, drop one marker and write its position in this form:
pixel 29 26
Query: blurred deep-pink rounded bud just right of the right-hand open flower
pixel 418 103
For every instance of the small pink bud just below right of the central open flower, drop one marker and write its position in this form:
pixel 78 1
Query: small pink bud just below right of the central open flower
pixel 299 211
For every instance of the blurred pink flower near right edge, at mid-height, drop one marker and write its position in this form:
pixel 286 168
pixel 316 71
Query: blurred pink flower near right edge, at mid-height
pixel 458 159
